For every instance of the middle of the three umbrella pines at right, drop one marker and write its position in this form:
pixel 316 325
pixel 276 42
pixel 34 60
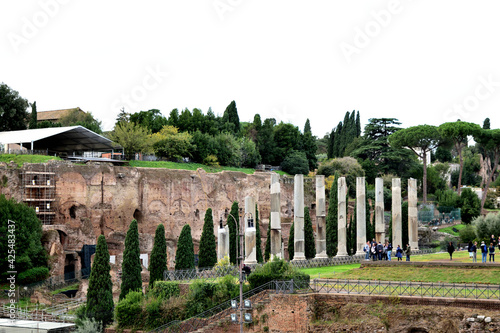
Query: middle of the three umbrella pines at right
pixel 457 132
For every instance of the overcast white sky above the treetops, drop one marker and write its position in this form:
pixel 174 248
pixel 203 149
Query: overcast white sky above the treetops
pixel 424 62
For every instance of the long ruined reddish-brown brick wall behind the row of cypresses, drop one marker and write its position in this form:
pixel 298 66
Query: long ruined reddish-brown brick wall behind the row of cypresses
pixel 100 198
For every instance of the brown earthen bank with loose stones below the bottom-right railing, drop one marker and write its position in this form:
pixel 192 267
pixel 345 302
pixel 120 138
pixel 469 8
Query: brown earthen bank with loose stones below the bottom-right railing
pixel 380 317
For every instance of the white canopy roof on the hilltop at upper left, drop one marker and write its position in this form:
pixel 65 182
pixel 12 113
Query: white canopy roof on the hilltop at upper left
pixel 59 139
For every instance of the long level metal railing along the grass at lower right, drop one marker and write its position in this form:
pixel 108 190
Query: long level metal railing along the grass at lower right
pixel 407 288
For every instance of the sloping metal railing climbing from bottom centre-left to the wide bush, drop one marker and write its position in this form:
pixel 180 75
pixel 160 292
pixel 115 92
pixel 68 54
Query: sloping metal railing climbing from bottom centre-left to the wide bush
pixel 223 311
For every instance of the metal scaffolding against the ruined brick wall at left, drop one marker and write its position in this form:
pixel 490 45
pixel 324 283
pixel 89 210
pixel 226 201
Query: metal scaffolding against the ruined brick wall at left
pixel 39 191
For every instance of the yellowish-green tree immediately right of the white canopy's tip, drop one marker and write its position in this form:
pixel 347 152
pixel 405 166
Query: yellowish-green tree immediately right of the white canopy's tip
pixel 132 137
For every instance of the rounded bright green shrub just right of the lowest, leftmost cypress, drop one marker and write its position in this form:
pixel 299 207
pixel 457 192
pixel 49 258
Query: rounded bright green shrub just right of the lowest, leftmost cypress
pixel 129 310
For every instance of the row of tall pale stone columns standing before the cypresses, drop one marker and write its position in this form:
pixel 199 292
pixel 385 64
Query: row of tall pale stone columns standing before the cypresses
pixel 299 245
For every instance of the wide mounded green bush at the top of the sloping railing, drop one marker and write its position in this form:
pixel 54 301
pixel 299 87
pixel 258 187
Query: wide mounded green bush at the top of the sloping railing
pixel 277 269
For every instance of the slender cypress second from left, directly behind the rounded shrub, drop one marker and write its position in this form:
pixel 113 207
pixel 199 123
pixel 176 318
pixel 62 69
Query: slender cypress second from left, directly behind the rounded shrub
pixel 131 266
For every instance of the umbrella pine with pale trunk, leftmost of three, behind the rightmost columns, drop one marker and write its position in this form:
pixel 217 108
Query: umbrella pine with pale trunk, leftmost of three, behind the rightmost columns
pixel 421 139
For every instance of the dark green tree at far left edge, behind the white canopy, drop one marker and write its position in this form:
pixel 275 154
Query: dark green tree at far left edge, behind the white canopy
pixel 13 110
